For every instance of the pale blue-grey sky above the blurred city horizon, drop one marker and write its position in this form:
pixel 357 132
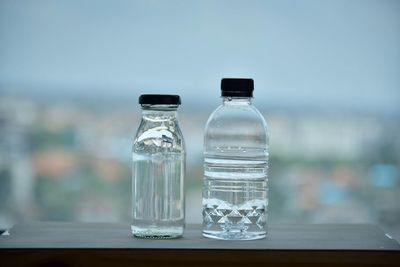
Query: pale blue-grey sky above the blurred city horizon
pixel 342 53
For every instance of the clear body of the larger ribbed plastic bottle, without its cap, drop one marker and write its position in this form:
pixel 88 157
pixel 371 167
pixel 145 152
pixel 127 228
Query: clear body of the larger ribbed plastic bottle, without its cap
pixel 235 188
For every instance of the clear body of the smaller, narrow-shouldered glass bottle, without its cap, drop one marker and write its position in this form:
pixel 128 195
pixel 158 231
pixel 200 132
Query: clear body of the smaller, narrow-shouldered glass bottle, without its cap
pixel 158 170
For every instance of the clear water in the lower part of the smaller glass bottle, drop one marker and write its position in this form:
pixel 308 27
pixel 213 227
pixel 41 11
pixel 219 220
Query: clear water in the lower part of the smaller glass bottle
pixel 158 210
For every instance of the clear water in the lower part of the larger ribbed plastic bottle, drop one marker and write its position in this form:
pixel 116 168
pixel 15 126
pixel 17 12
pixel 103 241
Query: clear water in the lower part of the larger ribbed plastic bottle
pixel 235 198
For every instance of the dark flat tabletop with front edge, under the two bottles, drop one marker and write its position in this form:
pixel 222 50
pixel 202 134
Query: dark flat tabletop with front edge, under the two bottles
pixel 85 244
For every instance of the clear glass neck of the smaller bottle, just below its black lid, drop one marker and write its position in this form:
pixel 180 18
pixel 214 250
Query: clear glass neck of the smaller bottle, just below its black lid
pixel 159 113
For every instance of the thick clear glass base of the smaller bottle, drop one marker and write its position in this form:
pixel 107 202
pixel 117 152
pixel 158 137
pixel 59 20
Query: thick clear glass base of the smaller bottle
pixel 157 232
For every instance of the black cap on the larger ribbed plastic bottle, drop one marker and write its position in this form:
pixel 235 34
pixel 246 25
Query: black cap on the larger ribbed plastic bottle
pixel 237 87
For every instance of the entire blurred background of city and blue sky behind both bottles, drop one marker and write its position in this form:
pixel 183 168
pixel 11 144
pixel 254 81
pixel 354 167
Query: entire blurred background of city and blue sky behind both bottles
pixel 327 78
